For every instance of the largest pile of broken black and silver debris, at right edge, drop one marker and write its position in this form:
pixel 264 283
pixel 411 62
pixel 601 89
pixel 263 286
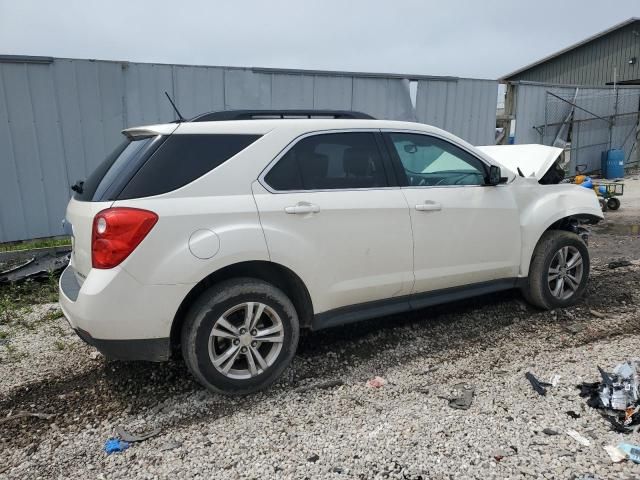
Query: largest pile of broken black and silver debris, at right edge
pixel 617 396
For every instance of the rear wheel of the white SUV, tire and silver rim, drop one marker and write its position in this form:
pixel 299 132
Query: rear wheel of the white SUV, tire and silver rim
pixel 225 306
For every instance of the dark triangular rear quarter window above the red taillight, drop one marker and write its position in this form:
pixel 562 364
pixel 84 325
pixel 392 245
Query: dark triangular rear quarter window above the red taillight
pixel 182 159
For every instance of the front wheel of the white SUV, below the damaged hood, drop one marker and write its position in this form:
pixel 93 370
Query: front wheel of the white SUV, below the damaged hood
pixel 543 282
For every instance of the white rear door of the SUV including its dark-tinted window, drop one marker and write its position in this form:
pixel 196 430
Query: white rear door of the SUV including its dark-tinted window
pixel 330 214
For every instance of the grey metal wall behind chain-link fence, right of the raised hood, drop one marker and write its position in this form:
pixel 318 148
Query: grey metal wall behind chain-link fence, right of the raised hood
pixel 534 107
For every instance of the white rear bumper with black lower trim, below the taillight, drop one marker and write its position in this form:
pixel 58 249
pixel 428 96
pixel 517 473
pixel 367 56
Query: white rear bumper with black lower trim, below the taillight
pixel 118 315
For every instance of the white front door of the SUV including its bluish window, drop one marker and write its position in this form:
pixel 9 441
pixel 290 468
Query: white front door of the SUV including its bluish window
pixel 464 232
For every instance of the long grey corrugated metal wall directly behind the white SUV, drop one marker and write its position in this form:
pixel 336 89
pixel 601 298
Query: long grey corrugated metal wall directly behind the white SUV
pixel 60 117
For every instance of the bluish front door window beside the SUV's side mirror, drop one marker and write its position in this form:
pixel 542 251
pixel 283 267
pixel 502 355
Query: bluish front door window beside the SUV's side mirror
pixel 429 161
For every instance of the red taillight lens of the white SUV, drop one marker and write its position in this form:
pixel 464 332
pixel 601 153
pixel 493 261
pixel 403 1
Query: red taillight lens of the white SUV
pixel 117 232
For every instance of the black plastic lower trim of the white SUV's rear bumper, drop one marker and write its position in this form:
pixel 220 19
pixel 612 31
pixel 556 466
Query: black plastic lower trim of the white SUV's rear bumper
pixel 150 349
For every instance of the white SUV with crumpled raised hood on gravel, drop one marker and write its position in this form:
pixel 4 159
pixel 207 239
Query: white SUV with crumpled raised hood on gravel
pixel 225 235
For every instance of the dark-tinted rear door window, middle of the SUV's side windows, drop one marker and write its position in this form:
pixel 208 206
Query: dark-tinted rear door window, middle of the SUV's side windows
pixel 328 162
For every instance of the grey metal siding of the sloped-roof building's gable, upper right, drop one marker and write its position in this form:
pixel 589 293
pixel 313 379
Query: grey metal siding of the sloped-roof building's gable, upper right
pixel 592 63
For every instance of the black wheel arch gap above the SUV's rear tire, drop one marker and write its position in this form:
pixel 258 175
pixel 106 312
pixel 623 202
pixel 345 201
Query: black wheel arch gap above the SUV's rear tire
pixel 278 275
